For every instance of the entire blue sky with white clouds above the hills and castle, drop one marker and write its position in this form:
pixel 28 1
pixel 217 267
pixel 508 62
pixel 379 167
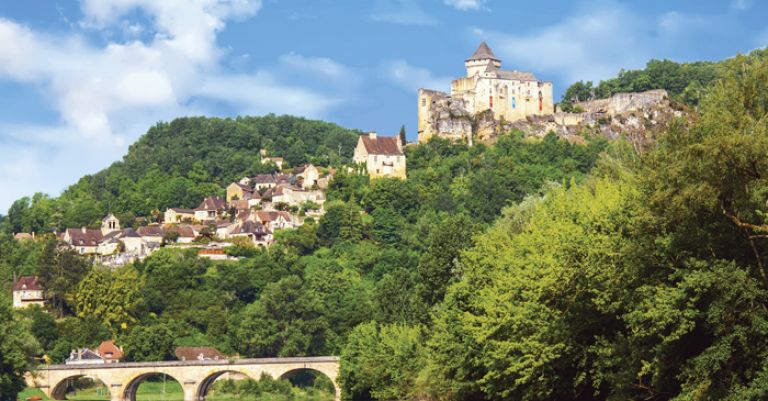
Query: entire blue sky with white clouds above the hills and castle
pixel 81 80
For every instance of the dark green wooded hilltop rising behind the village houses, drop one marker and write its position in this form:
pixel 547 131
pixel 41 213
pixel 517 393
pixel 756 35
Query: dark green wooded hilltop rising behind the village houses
pixel 176 164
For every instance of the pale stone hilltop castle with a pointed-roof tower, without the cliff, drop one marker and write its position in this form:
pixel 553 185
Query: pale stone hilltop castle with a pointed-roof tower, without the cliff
pixel 503 94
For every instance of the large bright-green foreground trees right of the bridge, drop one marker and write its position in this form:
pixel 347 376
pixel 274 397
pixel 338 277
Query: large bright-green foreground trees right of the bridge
pixel 646 281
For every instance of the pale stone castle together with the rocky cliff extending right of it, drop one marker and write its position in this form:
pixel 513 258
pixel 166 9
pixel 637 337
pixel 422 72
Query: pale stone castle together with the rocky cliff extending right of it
pixel 490 101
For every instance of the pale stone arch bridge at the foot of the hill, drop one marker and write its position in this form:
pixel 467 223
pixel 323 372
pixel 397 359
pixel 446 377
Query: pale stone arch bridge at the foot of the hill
pixel 195 377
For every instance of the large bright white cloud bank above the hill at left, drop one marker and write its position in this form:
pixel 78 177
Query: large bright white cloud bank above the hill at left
pixel 106 96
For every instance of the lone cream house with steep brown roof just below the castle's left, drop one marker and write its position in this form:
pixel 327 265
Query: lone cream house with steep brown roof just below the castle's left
pixel 381 155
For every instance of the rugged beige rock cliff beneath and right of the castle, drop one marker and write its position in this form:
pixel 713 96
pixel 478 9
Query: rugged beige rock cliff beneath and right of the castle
pixel 639 116
